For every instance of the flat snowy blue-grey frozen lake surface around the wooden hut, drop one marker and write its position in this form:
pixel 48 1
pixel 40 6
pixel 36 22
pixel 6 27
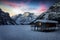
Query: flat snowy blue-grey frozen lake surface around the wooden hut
pixel 23 32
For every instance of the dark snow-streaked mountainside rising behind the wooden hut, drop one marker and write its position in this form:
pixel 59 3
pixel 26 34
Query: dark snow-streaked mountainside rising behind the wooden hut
pixel 53 13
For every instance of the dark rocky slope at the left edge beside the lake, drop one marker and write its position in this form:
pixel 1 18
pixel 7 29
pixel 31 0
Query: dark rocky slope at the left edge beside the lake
pixel 5 18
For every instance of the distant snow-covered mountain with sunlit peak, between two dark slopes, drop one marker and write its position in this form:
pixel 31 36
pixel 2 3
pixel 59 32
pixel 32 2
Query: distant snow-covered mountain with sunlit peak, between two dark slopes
pixel 25 18
